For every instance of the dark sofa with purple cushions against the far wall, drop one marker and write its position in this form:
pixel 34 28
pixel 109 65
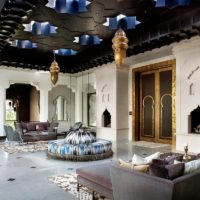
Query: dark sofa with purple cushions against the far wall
pixel 36 131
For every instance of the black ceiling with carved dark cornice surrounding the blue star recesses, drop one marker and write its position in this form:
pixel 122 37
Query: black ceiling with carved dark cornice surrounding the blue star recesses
pixel 158 27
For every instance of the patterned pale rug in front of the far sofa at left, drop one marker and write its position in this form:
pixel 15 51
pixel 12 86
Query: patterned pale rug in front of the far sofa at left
pixel 18 148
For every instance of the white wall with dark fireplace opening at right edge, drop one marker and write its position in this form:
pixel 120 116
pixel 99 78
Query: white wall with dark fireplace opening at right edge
pixel 188 72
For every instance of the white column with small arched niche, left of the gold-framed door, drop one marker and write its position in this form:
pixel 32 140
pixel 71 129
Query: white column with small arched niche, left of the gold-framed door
pixel 112 95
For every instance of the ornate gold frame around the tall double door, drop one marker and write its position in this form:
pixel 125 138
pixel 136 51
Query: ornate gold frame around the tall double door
pixel 156 66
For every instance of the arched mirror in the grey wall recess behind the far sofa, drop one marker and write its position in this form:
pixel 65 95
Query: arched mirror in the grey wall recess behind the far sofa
pixel 60 109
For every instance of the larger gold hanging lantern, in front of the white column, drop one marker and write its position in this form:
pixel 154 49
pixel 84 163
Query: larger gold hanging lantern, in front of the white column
pixel 120 45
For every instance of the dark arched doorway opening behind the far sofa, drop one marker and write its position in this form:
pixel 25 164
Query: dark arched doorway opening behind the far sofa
pixel 22 100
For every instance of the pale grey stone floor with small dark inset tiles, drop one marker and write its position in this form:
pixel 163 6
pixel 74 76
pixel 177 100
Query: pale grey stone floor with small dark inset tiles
pixel 30 172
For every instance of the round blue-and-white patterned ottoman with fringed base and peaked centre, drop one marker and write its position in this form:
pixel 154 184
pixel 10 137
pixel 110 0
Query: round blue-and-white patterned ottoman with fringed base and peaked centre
pixel 80 145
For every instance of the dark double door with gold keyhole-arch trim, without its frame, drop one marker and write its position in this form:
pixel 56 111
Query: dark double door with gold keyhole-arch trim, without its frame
pixel 154 101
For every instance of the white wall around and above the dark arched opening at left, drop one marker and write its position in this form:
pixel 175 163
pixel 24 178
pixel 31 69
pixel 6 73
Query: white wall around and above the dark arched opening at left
pixel 39 79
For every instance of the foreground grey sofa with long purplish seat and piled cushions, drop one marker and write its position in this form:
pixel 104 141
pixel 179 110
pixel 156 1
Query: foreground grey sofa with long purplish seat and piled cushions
pixel 161 181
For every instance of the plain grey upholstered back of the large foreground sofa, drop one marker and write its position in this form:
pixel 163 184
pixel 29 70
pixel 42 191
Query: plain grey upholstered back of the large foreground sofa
pixel 132 185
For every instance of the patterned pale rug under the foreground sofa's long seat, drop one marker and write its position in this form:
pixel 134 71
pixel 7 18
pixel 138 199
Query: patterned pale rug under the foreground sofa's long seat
pixel 68 182
